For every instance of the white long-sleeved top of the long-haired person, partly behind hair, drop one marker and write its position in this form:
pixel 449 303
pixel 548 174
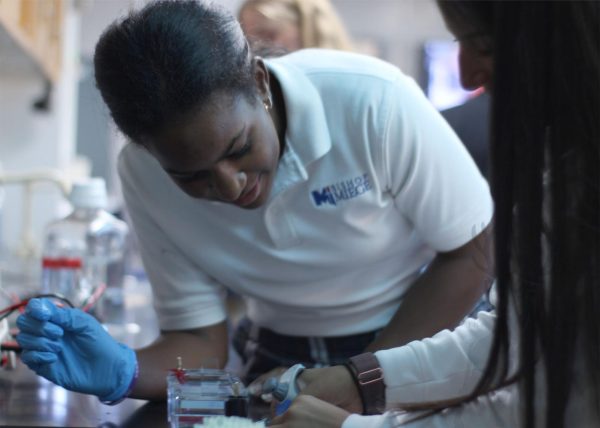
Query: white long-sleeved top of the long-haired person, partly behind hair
pixel 449 365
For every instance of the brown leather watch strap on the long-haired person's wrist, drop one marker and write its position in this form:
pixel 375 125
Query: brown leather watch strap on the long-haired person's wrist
pixel 369 379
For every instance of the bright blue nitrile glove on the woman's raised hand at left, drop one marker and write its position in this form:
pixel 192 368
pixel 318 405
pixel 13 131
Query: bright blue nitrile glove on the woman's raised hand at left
pixel 70 348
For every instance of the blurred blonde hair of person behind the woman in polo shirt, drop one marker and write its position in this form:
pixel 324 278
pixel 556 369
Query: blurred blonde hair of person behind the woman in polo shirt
pixel 318 22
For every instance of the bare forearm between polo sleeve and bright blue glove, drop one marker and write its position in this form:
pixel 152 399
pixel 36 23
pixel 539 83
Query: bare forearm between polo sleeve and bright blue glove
pixel 206 347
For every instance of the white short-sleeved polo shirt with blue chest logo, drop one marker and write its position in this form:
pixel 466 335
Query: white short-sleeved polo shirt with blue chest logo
pixel 372 183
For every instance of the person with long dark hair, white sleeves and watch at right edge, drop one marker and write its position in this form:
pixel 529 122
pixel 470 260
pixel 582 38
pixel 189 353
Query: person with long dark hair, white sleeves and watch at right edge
pixel 541 366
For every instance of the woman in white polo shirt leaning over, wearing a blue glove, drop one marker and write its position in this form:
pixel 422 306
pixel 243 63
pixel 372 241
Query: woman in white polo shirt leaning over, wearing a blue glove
pixel 321 186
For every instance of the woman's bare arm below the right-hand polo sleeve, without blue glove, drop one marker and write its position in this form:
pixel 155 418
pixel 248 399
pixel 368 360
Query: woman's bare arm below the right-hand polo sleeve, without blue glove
pixel 442 296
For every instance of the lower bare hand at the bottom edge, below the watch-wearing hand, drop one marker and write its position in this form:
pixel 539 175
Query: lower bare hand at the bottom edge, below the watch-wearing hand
pixel 310 412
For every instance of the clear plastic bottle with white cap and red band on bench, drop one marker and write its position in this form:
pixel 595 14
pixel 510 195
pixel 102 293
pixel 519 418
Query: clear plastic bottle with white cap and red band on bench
pixel 83 253
